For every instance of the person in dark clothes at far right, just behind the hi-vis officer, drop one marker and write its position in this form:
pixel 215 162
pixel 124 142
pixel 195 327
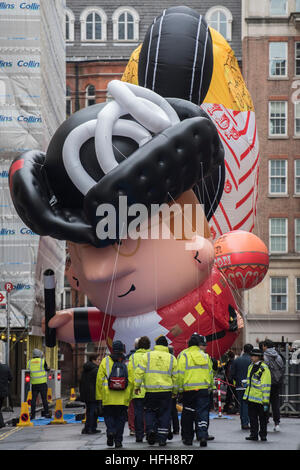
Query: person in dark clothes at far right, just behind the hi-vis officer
pixel 276 365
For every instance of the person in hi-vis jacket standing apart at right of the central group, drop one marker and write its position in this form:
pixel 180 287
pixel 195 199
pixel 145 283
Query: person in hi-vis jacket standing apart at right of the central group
pixel 257 395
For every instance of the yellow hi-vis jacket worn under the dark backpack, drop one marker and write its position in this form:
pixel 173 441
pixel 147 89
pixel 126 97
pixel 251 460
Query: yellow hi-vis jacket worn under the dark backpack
pixel 112 397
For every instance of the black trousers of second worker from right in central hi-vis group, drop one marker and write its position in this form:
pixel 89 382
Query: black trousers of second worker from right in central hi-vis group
pixel 158 413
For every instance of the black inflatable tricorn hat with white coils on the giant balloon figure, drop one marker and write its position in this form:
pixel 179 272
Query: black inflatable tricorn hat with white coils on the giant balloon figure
pixel 186 155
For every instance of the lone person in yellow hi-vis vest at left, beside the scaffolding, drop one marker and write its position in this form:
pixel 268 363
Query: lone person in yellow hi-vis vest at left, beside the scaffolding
pixel 38 379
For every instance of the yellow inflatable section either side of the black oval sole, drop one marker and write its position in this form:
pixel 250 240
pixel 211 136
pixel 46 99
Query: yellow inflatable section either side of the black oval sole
pixel 227 85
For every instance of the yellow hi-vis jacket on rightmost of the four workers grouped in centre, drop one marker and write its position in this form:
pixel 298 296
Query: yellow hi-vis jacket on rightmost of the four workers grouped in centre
pixel 194 370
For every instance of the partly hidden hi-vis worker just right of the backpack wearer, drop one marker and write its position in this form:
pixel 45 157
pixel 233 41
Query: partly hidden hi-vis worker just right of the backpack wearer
pixel 143 347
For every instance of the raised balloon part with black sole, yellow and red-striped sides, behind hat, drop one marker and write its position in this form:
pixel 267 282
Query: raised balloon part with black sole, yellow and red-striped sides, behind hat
pixel 175 60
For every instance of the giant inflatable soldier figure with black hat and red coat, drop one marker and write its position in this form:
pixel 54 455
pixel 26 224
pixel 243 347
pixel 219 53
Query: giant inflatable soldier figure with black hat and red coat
pixel 109 165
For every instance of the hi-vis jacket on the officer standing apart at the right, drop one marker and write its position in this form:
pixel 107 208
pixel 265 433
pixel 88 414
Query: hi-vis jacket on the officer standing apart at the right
pixel 258 385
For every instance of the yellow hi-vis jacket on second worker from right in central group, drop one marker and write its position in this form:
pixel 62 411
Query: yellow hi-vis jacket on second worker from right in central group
pixel 158 371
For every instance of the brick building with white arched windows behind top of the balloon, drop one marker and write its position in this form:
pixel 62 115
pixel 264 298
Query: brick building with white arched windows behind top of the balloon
pixel 100 40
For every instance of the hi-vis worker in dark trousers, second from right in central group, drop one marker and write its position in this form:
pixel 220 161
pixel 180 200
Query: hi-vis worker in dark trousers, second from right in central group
pixel 158 371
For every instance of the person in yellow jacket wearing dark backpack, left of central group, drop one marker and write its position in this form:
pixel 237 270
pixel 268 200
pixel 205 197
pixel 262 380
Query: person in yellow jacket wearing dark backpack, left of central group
pixel 114 386
